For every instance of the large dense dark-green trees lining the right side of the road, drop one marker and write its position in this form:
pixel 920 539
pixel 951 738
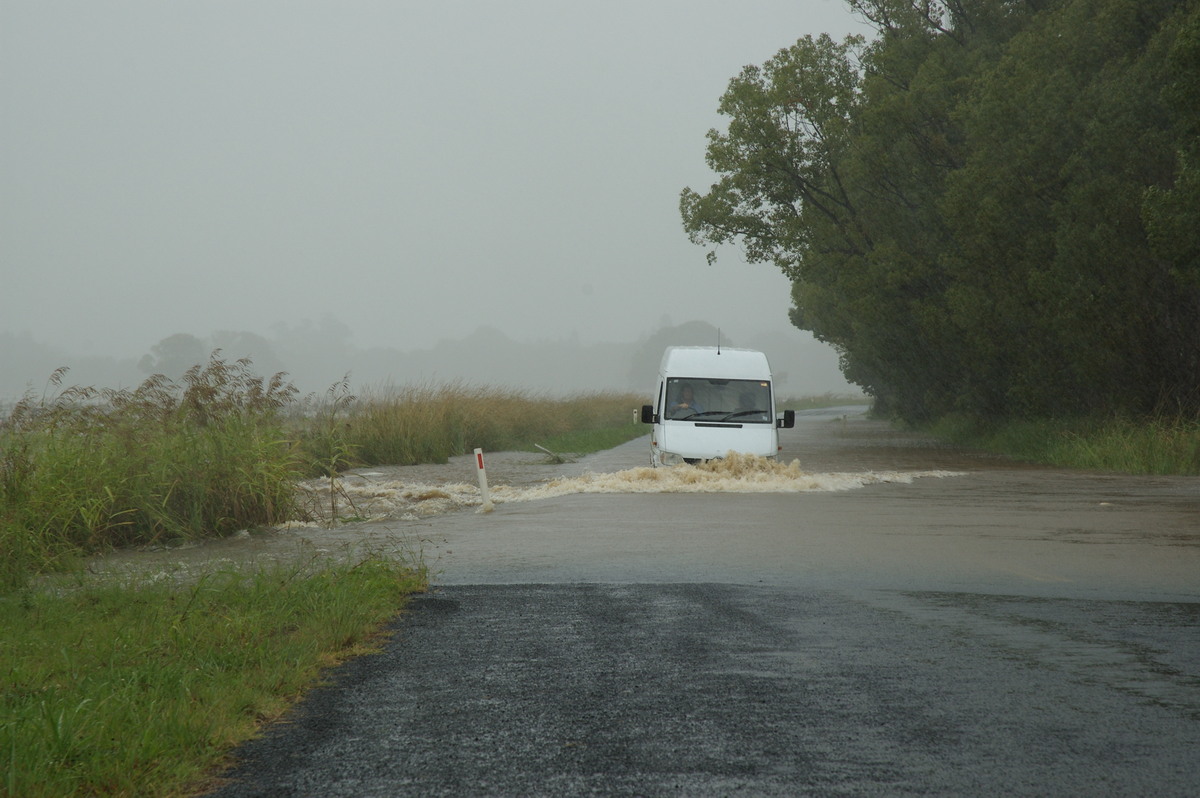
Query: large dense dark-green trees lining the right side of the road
pixel 992 208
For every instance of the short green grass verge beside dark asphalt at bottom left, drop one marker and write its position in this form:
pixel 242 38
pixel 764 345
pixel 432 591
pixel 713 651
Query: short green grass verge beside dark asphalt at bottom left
pixel 142 688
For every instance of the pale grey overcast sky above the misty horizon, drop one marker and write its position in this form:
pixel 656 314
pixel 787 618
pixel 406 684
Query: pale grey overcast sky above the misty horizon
pixel 413 170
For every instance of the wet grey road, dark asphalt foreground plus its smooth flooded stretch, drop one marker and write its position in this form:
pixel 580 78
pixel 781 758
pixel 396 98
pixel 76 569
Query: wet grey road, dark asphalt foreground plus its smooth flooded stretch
pixel 1011 632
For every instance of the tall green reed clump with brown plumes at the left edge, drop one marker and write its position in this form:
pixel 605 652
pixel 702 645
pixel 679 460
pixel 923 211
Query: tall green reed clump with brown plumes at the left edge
pixel 86 470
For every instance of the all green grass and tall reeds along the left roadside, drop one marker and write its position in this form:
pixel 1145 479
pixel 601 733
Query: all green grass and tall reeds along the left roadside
pixel 141 685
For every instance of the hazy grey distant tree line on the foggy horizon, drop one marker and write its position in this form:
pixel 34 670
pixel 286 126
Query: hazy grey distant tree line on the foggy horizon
pixel 317 356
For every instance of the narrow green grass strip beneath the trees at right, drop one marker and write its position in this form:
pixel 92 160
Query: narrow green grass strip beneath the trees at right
pixel 1165 446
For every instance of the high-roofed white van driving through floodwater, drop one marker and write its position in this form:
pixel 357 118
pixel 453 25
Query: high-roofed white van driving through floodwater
pixel 712 401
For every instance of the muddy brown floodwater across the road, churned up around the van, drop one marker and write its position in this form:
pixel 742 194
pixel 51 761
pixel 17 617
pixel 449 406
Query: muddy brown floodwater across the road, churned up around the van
pixel 850 502
